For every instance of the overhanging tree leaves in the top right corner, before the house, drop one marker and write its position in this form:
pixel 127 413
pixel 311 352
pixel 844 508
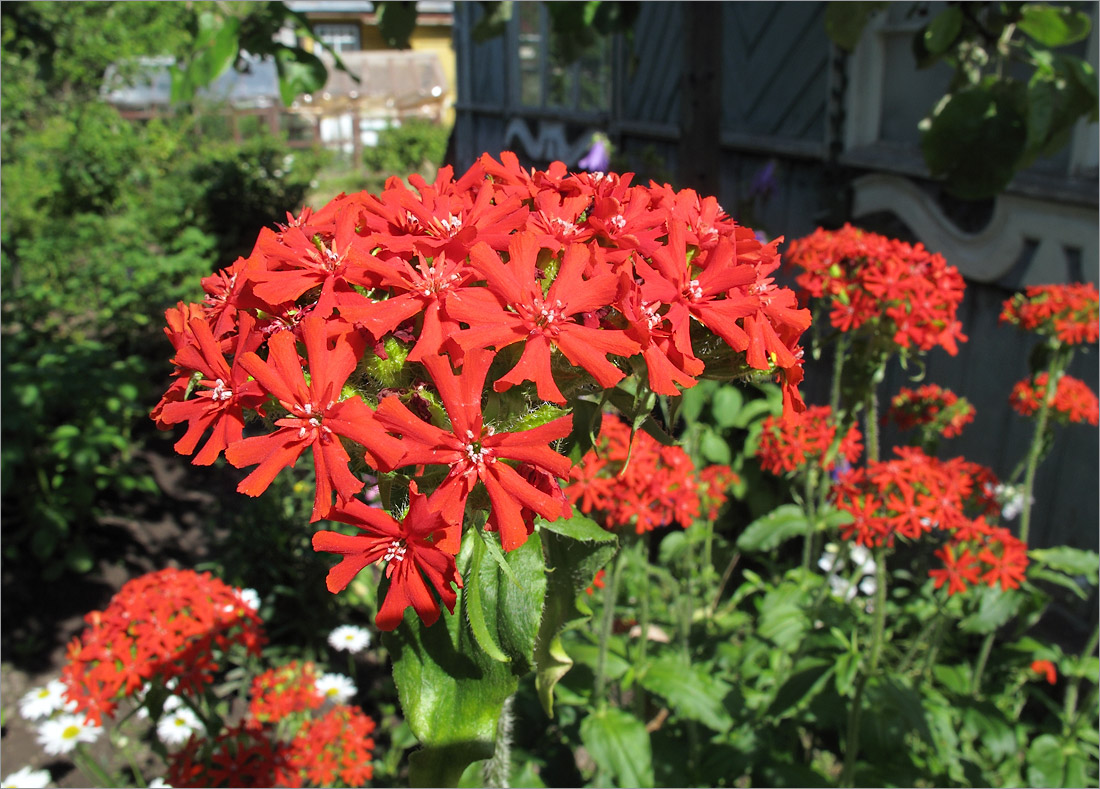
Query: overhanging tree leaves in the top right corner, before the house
pixel 995 120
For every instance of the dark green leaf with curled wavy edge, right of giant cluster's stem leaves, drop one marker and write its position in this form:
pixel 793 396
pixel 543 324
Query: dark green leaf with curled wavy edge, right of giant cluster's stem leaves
pixel 575 551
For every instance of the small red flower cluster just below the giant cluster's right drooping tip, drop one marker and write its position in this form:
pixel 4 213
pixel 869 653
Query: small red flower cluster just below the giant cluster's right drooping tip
pixel 795 442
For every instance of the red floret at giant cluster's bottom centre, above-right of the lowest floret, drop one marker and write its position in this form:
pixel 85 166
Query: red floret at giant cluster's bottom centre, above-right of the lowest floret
pixel 476 453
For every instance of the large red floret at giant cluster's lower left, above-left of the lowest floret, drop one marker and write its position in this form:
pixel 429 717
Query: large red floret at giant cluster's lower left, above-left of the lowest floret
pixel 317 418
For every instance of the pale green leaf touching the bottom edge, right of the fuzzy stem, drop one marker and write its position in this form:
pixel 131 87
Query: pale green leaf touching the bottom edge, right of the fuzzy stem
pixel 619 743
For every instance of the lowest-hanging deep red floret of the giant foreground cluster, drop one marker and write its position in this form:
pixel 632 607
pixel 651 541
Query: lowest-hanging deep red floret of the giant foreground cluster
pixel 409 550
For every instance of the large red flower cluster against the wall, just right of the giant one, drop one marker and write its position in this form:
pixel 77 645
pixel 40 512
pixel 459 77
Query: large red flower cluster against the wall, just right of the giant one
pixel 896 290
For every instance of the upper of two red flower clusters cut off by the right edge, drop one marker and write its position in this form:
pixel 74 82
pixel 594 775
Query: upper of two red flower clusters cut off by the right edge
pixel 1069 313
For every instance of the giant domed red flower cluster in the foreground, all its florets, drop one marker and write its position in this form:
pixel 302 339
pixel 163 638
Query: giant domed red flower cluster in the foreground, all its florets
pixel 542 284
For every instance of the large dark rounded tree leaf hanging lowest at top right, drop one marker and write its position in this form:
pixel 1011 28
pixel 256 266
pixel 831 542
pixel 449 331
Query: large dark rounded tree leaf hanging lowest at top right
pixel 976 136
